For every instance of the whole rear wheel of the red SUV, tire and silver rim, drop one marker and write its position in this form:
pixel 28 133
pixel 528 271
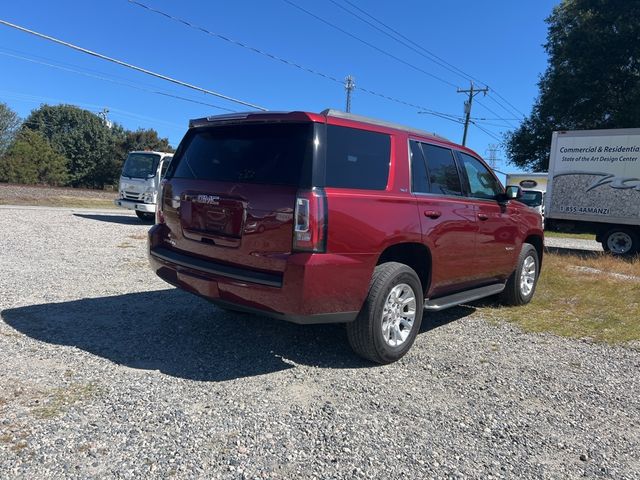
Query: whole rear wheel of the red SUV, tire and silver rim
pixel 390 318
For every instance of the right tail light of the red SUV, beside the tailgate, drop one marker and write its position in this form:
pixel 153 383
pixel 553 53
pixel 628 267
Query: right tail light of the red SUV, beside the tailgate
pixel 310 221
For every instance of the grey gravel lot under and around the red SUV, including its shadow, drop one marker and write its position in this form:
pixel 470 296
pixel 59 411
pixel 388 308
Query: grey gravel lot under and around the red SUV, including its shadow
pixel 109 372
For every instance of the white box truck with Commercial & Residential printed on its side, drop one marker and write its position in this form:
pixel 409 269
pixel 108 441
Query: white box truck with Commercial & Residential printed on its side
pixel 594 186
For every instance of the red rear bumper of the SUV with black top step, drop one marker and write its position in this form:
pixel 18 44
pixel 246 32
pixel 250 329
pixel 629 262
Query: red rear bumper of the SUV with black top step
pixel 314 288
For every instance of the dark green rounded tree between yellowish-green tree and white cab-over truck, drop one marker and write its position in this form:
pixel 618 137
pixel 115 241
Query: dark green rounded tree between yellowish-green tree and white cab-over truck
pixel 81 137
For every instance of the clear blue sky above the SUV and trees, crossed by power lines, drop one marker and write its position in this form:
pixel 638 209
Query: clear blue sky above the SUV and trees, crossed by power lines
pixel 497 42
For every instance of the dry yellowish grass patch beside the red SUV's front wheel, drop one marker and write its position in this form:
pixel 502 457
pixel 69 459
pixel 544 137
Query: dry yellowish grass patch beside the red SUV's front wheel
pixel 582 303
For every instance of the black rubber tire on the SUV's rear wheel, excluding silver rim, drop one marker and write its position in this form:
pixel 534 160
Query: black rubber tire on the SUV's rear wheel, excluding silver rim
pixel 365 334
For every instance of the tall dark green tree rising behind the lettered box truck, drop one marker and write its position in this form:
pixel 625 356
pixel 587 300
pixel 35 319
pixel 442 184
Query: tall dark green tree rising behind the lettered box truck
pixel 592 80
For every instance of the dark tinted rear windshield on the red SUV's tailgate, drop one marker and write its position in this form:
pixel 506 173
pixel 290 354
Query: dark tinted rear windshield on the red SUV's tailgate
pixel 267 153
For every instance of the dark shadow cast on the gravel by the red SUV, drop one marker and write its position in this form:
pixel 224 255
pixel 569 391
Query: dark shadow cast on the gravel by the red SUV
pixel 184 336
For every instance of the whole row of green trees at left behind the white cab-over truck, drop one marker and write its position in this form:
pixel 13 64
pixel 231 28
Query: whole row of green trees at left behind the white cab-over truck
pixel 63 145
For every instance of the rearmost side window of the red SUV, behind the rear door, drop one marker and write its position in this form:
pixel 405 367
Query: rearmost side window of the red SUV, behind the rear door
pixel 357 158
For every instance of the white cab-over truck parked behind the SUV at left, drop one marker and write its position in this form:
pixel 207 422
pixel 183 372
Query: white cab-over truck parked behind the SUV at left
pixel 139 182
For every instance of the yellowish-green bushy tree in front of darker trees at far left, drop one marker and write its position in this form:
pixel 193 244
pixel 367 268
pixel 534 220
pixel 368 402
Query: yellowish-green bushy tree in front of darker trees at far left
pixel 31 159
